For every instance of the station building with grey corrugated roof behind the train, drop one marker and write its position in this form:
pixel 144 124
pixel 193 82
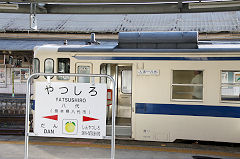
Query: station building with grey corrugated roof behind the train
pixel 17 40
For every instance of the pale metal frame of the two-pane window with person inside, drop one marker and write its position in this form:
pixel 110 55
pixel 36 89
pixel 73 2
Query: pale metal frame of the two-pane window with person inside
pixel 186 100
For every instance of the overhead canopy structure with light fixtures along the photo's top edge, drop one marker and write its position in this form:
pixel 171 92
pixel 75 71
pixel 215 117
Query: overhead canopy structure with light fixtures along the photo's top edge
pixel 117 6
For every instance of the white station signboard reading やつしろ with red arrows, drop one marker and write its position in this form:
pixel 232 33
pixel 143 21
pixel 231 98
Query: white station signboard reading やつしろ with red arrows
pixel 75 110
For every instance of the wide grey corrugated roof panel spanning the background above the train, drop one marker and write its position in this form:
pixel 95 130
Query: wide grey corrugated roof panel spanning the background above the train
pixel 202 22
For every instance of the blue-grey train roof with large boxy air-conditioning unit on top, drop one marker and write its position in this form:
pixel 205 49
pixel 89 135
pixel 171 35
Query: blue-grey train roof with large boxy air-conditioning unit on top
pixel 155 42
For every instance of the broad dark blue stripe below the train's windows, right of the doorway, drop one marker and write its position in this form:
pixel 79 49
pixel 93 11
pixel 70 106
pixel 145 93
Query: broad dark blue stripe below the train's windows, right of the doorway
pixel 188 110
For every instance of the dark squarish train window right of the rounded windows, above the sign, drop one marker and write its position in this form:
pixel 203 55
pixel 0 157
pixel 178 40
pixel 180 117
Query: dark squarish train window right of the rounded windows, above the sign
pixel 63 67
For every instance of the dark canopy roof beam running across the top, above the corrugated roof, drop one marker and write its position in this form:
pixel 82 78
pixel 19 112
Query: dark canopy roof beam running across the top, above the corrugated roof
pixel 154 8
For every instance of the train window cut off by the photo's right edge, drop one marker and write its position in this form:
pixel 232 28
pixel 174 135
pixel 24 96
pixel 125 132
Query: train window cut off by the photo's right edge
pixel 230 85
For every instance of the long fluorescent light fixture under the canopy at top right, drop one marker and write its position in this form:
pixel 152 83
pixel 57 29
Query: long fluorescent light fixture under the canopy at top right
pixel 213 5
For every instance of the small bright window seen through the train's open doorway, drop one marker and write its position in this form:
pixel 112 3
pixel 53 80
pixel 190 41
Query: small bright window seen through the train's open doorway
pixel 126 81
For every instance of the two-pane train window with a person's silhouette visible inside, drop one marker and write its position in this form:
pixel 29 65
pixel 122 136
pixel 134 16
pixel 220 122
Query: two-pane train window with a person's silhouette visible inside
pixel 187 84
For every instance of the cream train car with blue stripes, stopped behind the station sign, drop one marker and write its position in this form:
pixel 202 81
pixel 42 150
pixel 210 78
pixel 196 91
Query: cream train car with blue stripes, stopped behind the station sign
pixel 169 85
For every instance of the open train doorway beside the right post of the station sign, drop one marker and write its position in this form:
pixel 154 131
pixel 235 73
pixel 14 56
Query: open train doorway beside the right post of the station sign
pixel 122 74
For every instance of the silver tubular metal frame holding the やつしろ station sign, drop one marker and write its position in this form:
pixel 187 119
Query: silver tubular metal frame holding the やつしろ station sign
pixel 28 94
